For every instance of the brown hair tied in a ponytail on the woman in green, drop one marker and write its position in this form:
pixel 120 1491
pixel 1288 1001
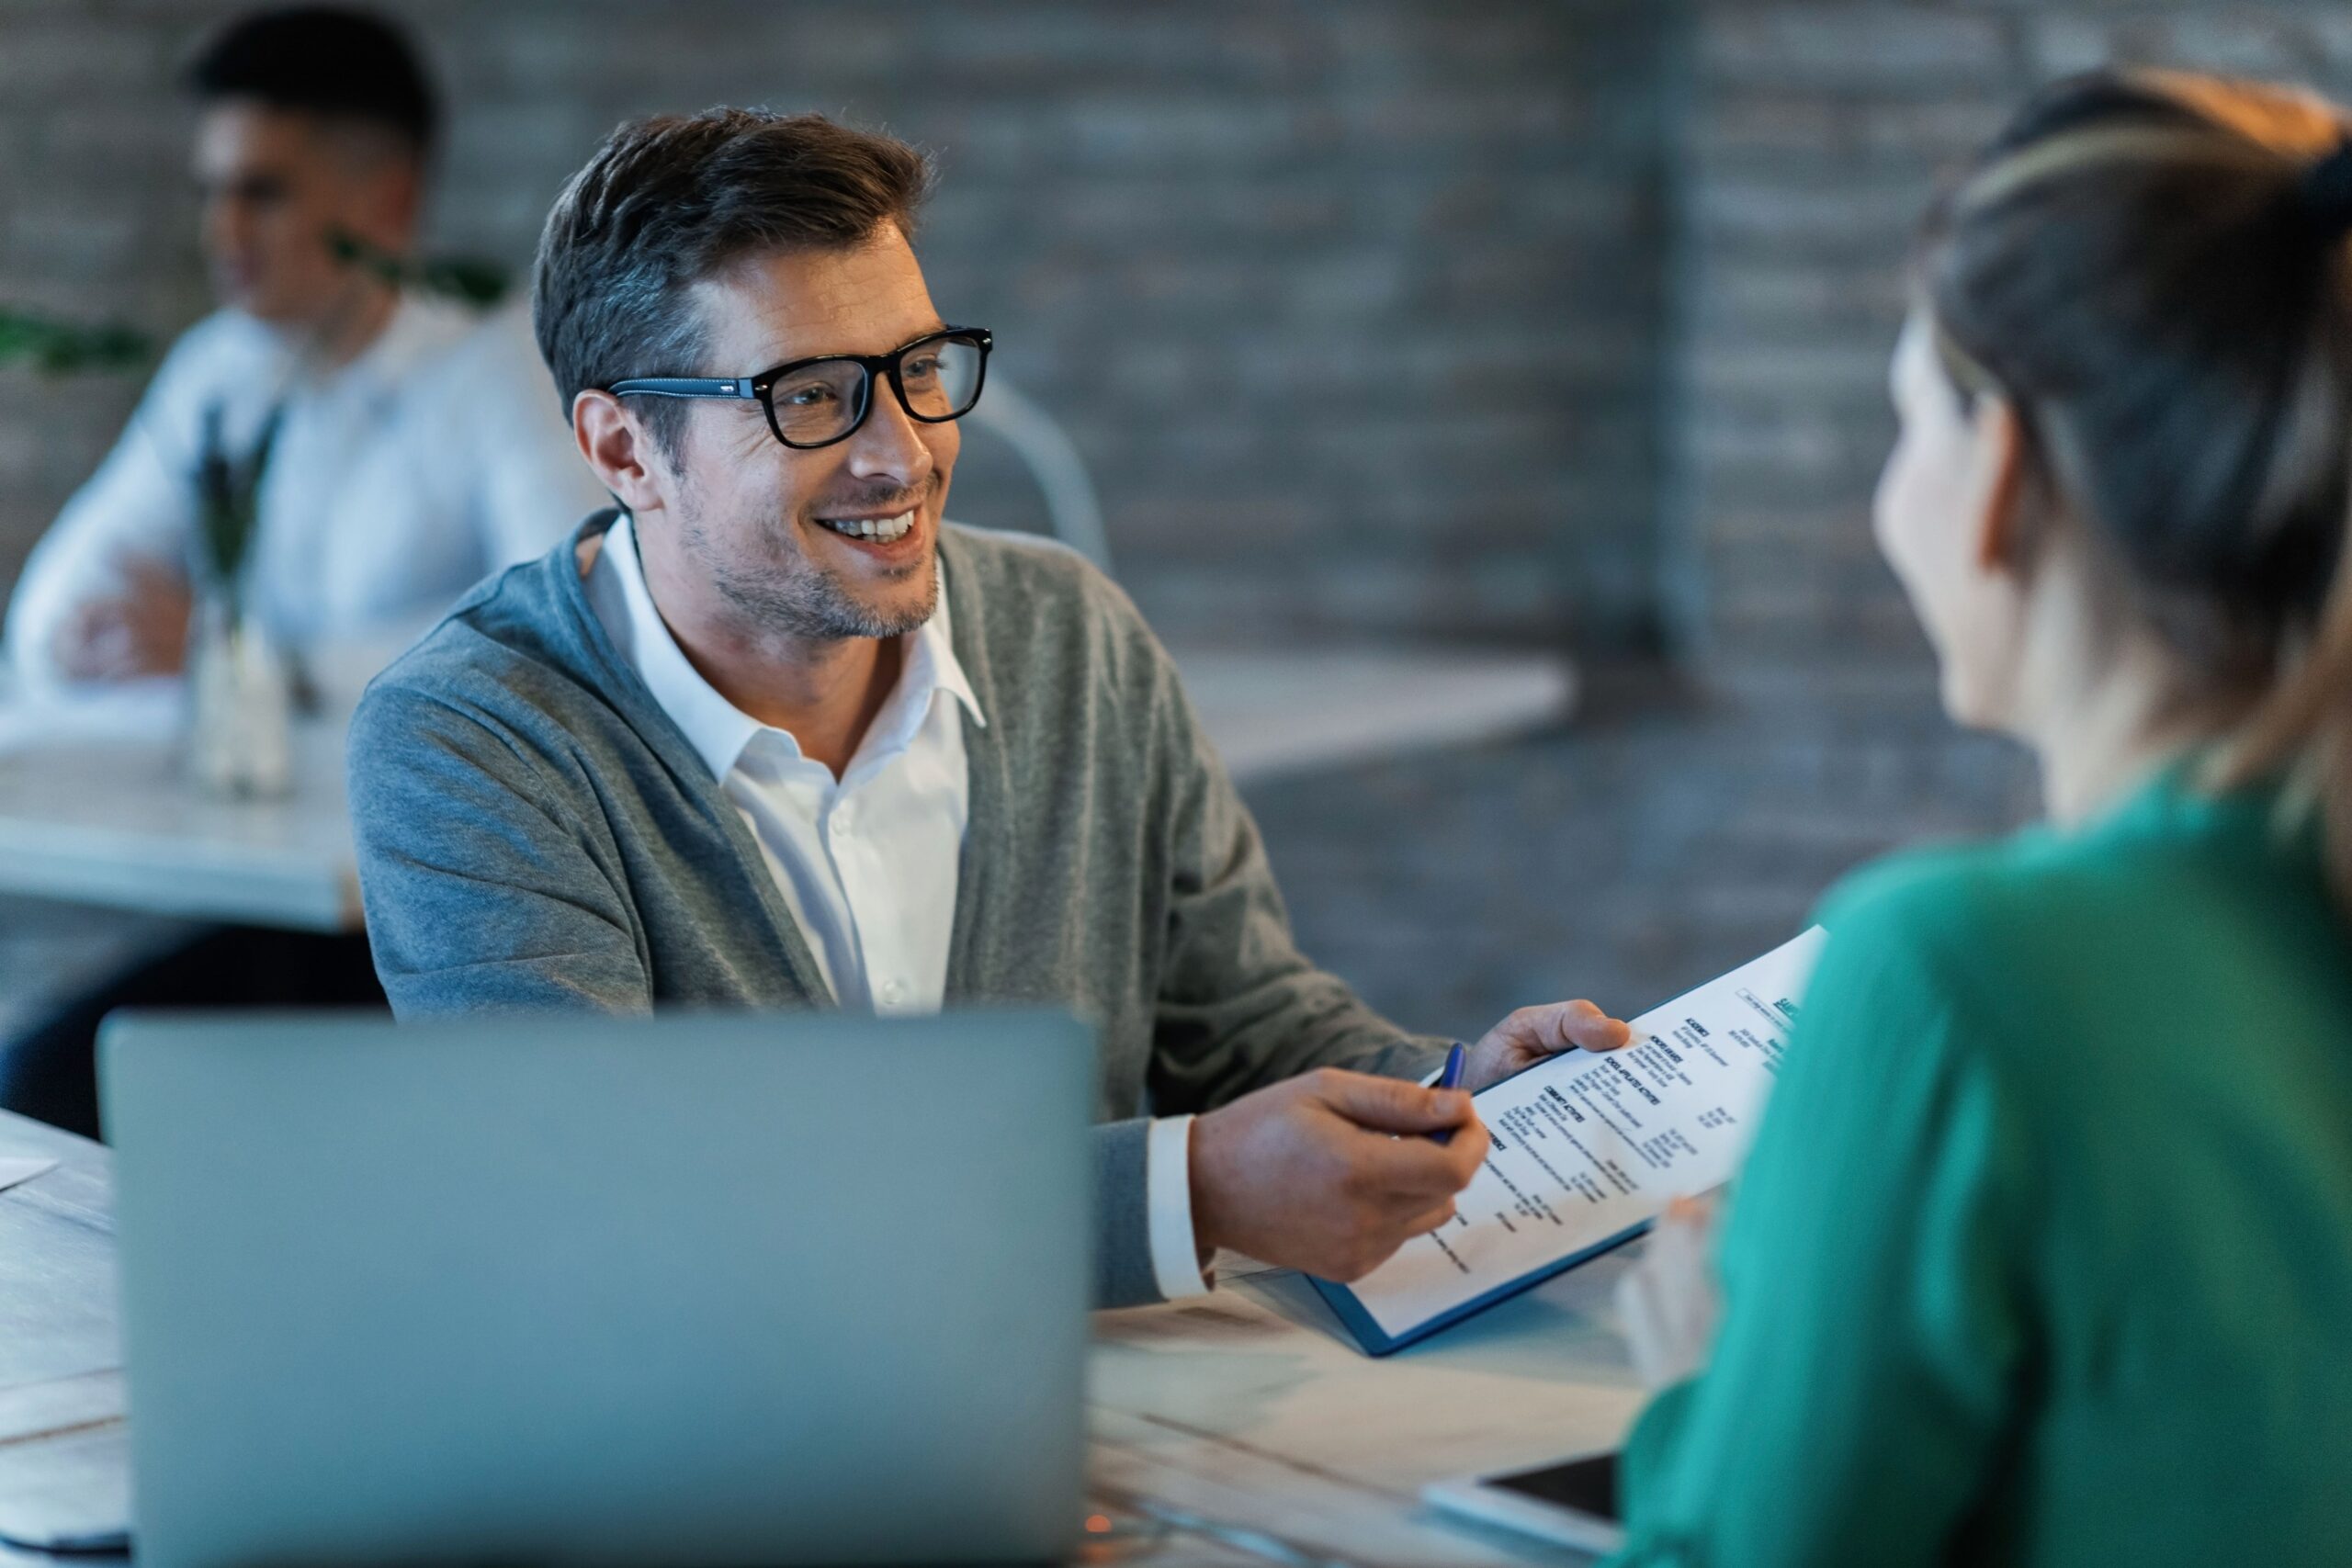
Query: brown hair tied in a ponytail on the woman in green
pixel 2156 274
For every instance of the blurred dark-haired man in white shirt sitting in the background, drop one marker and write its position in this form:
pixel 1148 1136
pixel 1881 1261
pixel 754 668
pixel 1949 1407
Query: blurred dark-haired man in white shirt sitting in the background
pixel 415 443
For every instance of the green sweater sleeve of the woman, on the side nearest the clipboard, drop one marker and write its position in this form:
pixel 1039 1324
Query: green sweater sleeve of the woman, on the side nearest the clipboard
pixel 1876 1325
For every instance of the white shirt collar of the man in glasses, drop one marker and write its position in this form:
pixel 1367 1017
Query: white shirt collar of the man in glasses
pixel 719 730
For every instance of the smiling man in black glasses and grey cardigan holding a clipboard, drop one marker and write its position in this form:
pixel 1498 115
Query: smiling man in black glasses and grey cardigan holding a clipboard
pixel 775 735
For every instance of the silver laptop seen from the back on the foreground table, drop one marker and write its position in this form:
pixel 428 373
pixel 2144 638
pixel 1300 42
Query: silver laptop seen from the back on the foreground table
pixel 697 1289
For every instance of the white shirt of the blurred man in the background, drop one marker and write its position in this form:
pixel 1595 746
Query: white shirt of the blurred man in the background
pixel 399 481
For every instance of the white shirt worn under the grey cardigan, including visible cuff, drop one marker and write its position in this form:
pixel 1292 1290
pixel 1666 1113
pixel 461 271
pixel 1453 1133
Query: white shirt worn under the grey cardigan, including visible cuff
pixel 867 862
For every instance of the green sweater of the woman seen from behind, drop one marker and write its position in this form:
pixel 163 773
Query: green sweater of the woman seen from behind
pixel 2045 1249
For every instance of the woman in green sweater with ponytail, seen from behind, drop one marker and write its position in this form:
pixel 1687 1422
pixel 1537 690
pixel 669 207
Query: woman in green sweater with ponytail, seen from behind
pixel 2045 1249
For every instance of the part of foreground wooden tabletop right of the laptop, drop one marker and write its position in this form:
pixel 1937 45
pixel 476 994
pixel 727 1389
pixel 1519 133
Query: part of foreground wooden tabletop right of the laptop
pixel 1255 1412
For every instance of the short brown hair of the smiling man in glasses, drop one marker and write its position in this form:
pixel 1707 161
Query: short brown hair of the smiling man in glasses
pixel 679 199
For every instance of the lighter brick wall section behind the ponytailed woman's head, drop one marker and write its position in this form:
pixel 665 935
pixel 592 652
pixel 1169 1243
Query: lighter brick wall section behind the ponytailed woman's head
pixel 1815 138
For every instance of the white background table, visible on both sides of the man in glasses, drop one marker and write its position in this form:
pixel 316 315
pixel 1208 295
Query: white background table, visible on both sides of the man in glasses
pixel 112 822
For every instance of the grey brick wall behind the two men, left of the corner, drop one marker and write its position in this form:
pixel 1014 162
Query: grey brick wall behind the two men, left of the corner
pixel 1354 307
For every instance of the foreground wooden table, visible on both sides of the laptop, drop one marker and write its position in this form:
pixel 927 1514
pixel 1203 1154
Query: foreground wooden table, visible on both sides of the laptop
pixel 1231 1430
